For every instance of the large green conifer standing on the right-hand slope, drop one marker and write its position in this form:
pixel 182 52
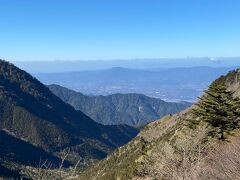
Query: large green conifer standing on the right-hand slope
pixel 219 108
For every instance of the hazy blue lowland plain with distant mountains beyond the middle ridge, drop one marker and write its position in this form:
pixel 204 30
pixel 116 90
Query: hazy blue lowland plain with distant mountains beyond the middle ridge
pixel 176 84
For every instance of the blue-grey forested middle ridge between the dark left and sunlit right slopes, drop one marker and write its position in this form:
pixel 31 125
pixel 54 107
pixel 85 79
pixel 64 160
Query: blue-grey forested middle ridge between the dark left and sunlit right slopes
pixel 131 109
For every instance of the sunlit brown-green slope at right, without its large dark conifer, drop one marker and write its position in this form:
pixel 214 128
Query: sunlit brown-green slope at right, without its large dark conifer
pixel 172 148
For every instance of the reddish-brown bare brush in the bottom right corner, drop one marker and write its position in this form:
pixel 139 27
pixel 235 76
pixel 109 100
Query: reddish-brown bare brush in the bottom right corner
pixel 223 161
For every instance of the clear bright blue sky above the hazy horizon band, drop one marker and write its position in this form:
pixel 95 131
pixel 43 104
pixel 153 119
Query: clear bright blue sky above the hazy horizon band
pixel 118 29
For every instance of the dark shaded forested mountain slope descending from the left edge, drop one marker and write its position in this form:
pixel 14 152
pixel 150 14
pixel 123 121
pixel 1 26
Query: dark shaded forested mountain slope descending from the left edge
pixel 36 118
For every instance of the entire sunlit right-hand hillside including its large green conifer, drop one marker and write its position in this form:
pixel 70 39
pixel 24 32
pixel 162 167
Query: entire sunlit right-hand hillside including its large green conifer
pixel 202 142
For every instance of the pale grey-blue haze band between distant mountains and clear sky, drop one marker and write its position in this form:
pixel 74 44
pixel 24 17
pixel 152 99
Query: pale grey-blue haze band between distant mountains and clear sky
pixel 57 66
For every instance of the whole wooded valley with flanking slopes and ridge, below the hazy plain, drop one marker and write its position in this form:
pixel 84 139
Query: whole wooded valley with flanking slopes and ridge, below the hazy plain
pixel 45 132
